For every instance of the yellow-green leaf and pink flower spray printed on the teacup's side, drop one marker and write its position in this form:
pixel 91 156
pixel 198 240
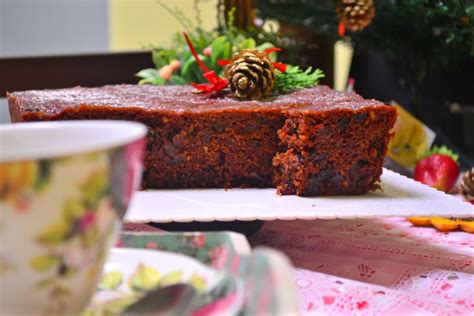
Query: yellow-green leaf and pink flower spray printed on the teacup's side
pixel 78 227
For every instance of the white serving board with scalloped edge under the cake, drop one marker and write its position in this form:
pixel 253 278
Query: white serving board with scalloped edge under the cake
pixel 401 196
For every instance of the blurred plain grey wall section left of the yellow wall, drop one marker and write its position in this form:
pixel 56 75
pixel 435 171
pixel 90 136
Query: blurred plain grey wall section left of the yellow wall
pixel 53 27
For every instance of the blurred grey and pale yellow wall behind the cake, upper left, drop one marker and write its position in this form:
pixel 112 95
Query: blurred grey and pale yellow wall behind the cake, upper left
pixel 64 27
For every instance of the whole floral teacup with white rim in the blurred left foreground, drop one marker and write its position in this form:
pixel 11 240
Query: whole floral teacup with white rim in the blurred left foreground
pixel 64 187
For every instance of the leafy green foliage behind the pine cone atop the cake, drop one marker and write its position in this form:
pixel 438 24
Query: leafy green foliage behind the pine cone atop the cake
pixel 222 43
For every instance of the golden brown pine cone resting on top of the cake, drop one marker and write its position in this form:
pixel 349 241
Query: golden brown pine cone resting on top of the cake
pixel 251 74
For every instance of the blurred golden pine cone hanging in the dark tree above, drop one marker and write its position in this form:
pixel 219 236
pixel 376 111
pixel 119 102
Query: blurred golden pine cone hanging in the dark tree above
pixel 355 14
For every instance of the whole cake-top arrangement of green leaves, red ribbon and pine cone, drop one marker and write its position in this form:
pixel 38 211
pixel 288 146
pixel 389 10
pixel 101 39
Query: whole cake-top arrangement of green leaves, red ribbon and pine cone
pixel 213 61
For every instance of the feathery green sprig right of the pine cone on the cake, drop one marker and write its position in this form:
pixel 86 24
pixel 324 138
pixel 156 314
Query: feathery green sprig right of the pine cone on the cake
pixel 294 78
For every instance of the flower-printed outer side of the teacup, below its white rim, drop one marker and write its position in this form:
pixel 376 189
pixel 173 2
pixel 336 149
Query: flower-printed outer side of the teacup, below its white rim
pixel 70 208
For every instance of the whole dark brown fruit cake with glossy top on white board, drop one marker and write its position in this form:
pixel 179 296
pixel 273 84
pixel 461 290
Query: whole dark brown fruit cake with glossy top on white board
pixel 309 142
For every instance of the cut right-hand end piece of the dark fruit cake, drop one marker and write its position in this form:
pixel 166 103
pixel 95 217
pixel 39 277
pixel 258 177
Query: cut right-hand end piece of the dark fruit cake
pixel 333 152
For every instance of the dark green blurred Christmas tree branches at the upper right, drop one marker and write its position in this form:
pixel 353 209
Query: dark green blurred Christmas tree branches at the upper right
pixel 422 38
